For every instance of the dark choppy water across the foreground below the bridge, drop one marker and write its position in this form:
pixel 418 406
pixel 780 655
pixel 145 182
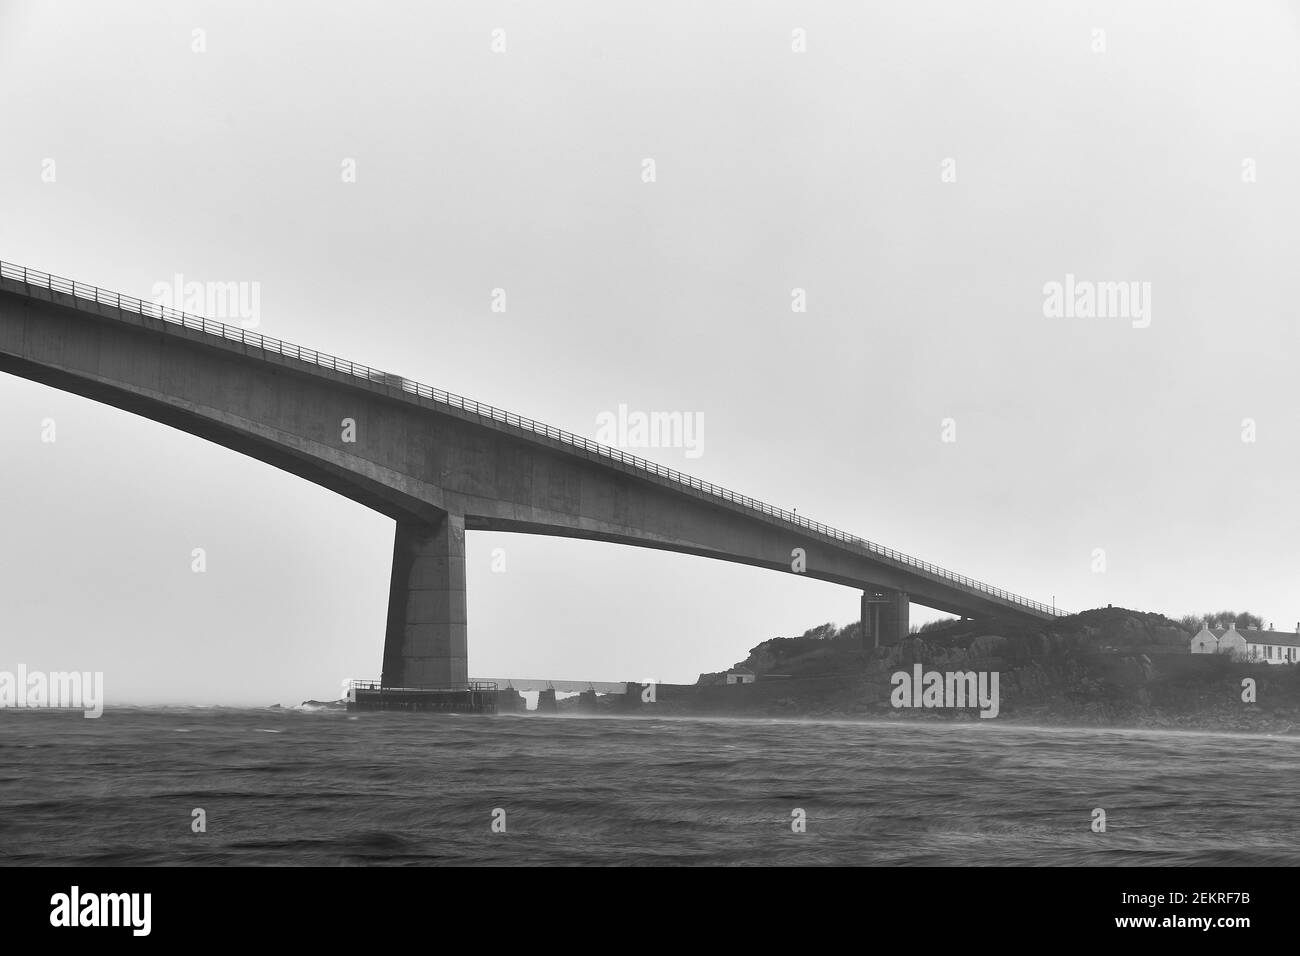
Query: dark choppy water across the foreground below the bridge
pixel 331 789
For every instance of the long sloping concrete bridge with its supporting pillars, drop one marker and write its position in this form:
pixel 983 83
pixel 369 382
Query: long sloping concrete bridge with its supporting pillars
pixel 437 464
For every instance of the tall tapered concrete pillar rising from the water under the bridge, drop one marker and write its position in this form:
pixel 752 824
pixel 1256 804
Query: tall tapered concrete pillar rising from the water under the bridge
pixel 427 638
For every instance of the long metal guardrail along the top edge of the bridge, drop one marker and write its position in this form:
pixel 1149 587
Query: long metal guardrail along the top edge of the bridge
pixel 89 293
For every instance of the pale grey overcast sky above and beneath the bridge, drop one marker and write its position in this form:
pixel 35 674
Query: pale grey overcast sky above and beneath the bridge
pixel 922 171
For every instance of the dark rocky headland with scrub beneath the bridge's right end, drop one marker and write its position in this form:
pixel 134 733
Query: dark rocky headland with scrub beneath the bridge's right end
pixel 1108 667
